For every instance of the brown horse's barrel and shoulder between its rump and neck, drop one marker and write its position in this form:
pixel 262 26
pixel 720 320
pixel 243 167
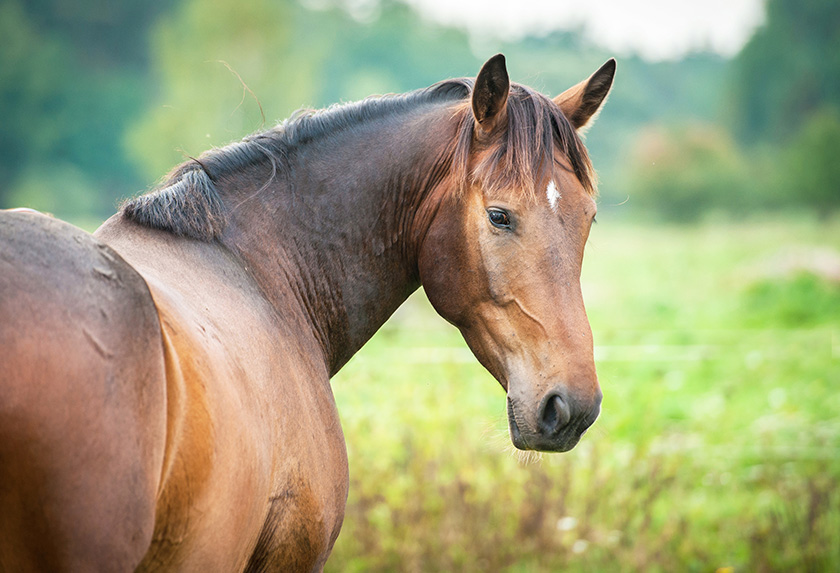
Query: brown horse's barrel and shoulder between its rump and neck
pixel 255 458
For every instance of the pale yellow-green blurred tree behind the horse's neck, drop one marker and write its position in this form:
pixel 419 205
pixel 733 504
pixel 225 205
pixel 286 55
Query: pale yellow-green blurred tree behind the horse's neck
pixel 217 67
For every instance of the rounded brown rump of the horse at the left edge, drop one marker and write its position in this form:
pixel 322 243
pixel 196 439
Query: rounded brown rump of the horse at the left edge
pixel 82 404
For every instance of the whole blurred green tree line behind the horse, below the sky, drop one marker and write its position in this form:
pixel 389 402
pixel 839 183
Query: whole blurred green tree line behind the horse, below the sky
pixel 99 100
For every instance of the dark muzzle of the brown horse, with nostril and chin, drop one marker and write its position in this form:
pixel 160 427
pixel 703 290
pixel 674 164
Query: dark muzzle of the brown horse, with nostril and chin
pixel 556 424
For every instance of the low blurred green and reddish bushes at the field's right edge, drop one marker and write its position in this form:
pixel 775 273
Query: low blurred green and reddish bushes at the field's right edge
pixel 683 174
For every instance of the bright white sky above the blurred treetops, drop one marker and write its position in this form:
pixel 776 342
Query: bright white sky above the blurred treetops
pixel 655 29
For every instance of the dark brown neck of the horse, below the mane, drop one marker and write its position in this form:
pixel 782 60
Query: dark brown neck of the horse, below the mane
pixel 340 232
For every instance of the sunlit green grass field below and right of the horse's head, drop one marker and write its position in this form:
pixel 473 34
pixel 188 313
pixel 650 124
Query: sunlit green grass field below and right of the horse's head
pixel 718 446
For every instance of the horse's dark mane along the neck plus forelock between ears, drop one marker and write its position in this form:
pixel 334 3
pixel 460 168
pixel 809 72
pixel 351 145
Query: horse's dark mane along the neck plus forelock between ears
pixel 189 204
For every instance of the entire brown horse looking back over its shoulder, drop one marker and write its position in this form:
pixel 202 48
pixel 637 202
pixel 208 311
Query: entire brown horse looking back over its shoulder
pixel 165 396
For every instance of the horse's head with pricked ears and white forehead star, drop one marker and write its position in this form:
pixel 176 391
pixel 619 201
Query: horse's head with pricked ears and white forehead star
pixel 501 259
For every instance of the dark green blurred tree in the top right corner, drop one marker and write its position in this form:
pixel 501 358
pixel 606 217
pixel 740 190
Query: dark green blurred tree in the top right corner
pixel 789 69
